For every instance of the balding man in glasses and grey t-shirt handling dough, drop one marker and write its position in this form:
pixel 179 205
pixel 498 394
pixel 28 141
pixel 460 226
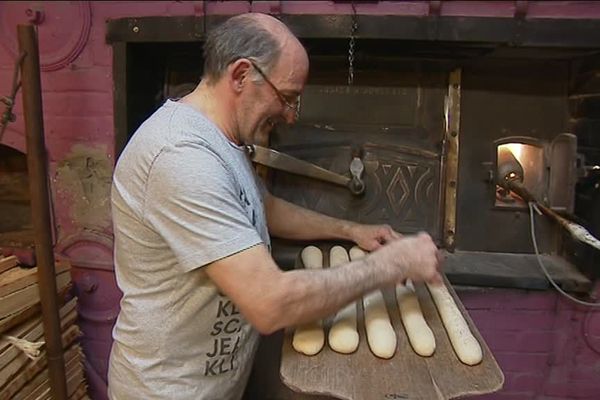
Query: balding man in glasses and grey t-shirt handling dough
pixel 192 225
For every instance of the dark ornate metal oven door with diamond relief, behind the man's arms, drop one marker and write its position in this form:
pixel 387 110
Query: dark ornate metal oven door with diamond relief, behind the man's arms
pixel 397 131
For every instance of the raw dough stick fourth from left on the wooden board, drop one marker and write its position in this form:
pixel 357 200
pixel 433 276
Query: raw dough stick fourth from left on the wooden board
pixel 419 333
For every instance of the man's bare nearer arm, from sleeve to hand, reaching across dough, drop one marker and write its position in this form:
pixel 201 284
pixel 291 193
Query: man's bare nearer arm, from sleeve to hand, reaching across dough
pixel 272 299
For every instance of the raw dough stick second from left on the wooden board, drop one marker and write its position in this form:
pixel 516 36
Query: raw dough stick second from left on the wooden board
pixel 343 335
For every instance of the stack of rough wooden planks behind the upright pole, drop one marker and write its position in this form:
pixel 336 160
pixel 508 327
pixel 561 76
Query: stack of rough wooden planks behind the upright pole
pixel 23 361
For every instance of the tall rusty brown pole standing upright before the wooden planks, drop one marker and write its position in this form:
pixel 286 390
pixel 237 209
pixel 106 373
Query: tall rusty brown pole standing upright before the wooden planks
pixel 40 207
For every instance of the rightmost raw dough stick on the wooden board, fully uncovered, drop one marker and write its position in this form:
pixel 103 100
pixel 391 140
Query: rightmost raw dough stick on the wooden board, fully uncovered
pixel 465 345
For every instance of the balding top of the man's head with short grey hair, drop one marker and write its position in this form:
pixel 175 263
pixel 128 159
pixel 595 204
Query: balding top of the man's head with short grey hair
pixel 257 36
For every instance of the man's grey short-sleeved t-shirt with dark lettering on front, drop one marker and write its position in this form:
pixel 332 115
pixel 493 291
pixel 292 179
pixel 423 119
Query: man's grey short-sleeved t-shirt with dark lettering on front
pixel 183 196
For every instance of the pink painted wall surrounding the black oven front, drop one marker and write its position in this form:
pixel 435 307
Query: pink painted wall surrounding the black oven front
pixel 539 340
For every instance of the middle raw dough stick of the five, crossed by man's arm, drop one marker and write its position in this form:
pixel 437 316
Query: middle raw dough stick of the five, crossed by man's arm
pixel 380 332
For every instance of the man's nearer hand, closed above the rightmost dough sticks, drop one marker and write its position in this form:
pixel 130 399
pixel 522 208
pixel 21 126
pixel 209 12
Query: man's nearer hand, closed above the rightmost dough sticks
pixel 413 257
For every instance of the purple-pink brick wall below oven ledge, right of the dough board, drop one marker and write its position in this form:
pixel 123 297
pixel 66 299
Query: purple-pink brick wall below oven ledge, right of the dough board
pixel 547 347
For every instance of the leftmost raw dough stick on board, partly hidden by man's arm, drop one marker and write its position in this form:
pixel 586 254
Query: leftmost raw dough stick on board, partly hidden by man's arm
pixel 309 338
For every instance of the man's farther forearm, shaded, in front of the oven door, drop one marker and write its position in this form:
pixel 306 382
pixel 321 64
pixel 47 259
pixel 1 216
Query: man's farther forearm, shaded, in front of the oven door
pixel 289 221
